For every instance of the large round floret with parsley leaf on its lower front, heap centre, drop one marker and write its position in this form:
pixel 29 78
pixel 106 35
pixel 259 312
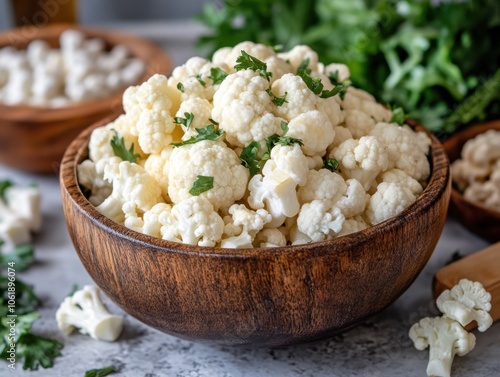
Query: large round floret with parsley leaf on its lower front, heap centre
pixel 212 159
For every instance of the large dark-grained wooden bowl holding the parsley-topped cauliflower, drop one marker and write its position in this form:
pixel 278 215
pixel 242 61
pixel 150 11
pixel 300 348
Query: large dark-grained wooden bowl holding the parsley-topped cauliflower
pixel 255 297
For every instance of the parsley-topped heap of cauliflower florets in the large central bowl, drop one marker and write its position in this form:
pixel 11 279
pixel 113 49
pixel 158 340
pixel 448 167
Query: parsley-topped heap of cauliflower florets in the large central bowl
pixel 253 149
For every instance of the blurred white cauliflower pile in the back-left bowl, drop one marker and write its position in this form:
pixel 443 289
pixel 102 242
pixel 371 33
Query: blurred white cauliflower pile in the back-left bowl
pixel 80 70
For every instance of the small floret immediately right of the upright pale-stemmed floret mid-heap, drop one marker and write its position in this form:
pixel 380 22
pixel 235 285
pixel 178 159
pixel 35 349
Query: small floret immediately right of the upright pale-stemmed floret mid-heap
pixel 322 185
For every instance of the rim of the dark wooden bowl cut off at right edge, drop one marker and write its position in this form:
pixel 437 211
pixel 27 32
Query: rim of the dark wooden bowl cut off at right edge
pixel 462 137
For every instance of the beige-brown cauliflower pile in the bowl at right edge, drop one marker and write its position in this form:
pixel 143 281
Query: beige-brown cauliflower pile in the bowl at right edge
pixel 477 173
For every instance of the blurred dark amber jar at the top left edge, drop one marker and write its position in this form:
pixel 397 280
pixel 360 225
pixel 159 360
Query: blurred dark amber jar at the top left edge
pixel 44 12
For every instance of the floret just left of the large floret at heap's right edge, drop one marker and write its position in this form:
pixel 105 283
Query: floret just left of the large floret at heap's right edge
pixel 362 159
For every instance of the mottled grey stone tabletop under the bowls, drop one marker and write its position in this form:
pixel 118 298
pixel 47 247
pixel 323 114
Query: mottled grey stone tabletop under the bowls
pixel 379 347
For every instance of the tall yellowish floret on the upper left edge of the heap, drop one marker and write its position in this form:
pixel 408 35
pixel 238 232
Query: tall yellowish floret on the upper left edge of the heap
pixel 151 113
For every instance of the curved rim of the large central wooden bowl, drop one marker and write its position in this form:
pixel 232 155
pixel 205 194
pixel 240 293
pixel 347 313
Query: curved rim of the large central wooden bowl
pixel 439 180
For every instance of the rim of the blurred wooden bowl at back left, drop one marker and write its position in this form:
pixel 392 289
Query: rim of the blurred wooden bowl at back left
pixel 110 36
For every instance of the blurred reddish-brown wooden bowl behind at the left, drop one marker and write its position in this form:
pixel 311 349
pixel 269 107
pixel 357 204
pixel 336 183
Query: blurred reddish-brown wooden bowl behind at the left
pixel 33 138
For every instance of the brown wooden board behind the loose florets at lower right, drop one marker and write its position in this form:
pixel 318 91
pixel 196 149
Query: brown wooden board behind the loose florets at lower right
pixel 483 266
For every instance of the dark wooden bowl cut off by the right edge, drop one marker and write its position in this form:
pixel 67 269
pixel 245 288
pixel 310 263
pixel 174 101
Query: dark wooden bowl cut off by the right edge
pixel 477 218
